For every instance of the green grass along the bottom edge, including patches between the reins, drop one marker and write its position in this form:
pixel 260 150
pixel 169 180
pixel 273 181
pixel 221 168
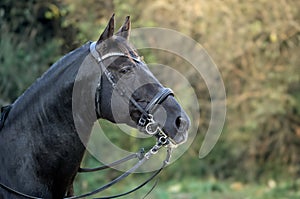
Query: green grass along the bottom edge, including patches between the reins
pixel 194 188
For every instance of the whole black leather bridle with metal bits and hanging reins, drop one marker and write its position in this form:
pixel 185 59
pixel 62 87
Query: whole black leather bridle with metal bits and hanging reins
pixel 146 123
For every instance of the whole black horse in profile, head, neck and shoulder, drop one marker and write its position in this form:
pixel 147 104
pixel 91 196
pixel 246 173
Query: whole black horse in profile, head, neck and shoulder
pixel 43 138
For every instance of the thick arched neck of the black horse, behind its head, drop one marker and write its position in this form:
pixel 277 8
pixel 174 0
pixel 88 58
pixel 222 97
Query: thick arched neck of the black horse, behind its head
pixel 43 119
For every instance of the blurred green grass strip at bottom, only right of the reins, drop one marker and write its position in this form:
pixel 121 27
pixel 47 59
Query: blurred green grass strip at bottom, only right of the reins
pixel 194 189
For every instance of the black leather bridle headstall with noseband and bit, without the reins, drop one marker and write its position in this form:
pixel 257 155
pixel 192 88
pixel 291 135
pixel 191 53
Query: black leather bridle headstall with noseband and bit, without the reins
pixel 146 122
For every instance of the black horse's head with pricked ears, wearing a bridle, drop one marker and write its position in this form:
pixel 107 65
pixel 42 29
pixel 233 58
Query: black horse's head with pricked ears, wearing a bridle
pixel 129 93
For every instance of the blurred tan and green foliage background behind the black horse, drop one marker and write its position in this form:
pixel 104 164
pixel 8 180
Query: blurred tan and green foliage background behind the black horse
pixel 255 45
